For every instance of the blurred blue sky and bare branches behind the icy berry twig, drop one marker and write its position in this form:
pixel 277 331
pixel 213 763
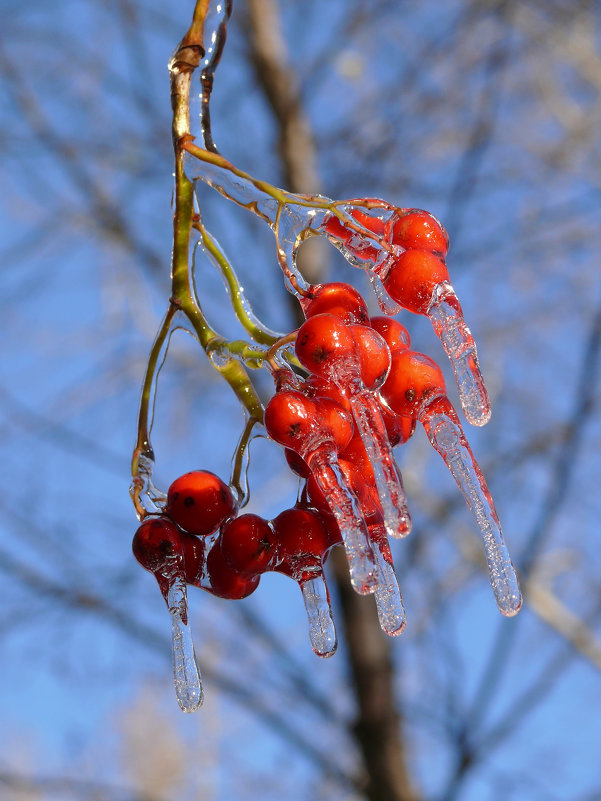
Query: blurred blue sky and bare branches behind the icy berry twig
pixel 488 115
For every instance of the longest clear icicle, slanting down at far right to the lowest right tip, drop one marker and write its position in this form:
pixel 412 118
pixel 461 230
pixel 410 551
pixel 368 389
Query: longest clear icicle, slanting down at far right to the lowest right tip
pixel 447 437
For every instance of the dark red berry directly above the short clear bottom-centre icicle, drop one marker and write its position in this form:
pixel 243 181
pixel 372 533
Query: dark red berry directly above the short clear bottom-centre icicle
pixel 302 542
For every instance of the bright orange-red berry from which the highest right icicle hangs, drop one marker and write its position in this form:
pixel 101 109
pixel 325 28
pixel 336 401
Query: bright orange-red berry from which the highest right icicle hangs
pixel 412 278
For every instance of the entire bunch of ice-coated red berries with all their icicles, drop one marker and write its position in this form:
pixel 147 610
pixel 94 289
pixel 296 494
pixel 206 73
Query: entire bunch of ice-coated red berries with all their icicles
pixel 352 390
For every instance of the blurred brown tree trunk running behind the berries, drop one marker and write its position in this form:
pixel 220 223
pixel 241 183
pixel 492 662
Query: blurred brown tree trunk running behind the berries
pixel 378 728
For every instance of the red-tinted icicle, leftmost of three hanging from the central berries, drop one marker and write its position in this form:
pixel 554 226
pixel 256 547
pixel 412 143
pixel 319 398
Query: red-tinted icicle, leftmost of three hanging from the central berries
pixel 346 509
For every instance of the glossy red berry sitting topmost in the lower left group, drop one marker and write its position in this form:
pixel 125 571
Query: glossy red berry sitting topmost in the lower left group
pixel 200 502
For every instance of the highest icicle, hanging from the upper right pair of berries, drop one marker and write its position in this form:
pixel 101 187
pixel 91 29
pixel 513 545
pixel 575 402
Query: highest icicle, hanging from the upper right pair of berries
pixel 447 319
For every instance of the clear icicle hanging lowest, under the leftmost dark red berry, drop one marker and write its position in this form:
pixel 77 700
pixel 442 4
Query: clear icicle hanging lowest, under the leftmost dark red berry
pixel 186 676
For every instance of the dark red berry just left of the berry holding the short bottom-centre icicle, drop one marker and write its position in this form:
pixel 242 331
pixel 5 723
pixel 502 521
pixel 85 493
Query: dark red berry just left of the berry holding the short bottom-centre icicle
pixel 248 544
